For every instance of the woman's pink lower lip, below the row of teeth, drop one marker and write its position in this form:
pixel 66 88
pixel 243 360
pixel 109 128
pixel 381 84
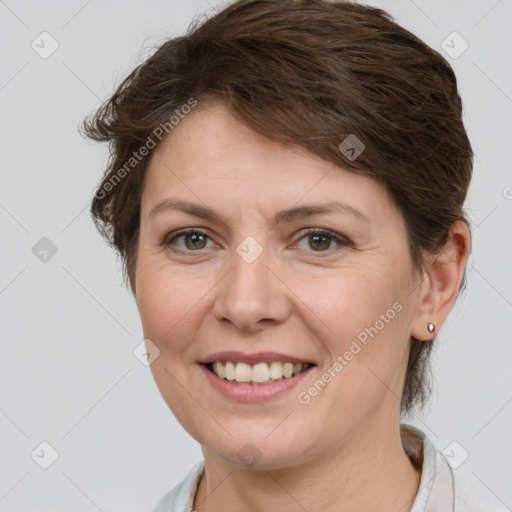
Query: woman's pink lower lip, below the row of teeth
pixel 253 392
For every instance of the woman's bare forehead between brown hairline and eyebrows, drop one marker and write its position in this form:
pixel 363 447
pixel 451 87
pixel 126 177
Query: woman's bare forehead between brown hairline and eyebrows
pixel 213 158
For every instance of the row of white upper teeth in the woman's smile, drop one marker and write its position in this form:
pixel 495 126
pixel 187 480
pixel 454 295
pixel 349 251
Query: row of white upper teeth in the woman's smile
pixel 259 373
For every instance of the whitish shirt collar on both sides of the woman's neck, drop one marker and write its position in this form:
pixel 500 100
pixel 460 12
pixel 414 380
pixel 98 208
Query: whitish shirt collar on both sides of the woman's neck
pixel 439 489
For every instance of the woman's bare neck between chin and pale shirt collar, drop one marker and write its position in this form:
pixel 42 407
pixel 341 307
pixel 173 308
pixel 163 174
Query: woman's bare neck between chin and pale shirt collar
pixel 364 473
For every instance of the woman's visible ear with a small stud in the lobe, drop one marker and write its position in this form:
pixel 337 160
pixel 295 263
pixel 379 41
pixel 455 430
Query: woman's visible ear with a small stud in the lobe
pixel 441 282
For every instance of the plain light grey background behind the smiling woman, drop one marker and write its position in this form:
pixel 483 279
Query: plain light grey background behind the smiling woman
pixel 68 374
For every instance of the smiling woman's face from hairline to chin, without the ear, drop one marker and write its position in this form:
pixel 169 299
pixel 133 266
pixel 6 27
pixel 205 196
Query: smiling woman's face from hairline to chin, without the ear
pixel 343 298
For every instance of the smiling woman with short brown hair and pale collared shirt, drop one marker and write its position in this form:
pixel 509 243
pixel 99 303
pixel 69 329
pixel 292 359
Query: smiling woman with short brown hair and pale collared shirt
pixel 286 191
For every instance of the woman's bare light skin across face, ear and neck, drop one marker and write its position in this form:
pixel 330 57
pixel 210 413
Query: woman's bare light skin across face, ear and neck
pixel 342 450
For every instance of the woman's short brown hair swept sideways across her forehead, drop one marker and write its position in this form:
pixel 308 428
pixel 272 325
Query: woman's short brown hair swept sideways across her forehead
pixel 310 73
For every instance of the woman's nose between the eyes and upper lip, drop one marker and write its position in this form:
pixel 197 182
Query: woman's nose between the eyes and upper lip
pixel 252 295
